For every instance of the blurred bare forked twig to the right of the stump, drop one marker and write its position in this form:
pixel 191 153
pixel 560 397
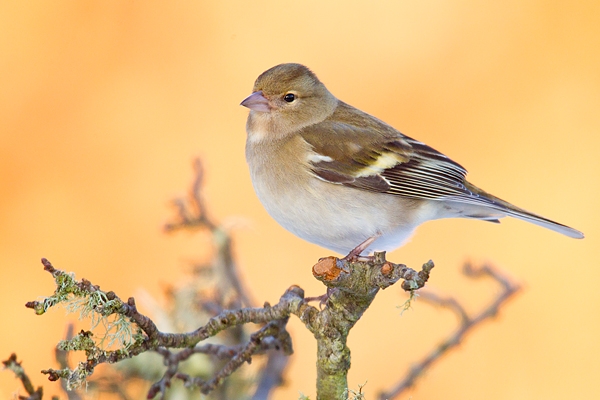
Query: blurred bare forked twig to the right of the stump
pixel 467 323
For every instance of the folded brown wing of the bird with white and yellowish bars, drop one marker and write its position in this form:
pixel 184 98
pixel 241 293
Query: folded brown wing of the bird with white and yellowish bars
pixel 355 149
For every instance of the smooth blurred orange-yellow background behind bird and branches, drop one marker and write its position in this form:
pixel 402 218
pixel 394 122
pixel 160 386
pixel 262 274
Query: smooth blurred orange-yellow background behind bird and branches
pixel 103 105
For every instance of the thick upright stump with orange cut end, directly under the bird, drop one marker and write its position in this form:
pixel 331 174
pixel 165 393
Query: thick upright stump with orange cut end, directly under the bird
pixel 351 289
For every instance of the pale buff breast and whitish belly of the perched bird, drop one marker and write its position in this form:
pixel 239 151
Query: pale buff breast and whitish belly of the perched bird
pixel 331 215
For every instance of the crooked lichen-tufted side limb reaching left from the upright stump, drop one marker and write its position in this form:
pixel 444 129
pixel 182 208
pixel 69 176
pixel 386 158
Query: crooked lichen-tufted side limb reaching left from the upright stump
pixel 148 337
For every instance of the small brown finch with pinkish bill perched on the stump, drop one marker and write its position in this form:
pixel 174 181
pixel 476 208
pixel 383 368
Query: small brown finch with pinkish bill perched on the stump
pixel 340 178
